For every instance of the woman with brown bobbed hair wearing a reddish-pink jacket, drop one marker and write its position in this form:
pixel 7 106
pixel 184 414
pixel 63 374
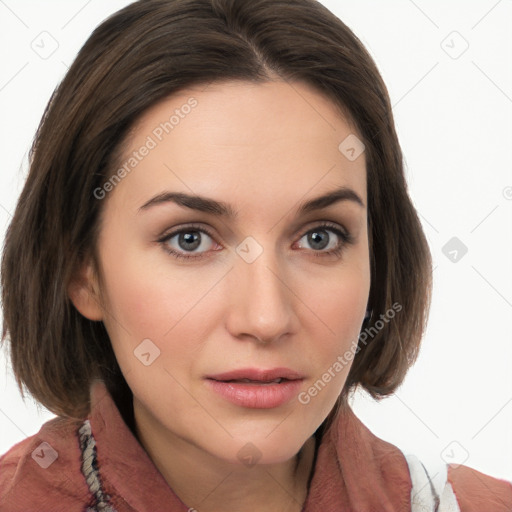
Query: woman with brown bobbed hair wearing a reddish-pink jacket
pixel 214 247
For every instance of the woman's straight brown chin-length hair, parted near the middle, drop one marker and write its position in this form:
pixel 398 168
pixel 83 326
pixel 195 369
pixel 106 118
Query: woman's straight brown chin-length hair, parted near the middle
pixel 137 57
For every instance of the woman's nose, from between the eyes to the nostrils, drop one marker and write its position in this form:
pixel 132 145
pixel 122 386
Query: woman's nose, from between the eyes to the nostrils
pixel 261 299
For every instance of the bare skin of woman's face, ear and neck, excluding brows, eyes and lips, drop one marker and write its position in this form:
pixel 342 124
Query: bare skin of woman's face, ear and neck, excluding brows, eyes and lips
pixel 264 149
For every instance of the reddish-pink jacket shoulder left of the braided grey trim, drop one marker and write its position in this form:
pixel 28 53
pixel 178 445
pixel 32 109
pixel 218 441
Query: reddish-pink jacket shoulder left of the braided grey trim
pixel 43 472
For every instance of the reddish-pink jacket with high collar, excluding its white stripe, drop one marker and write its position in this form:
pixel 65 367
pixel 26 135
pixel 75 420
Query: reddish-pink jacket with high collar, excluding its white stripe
pixel 354 471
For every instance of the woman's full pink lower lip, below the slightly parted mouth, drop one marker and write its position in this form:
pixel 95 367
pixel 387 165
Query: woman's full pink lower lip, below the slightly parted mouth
pixel 257 396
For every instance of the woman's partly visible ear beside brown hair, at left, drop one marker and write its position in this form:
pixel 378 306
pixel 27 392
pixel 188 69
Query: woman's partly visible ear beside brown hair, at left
pixel 83 292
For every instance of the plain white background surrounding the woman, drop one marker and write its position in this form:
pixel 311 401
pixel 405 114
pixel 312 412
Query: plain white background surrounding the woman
pixel 453 113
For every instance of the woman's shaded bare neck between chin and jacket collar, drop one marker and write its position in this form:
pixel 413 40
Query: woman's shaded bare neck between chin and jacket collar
pixel 205 483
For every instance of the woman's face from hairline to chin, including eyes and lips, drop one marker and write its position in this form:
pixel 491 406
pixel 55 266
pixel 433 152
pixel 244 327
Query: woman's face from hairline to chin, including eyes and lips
pixel 255 284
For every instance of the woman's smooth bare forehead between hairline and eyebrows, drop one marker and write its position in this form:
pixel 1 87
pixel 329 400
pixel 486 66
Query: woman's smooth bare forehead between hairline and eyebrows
pixel 272 138
